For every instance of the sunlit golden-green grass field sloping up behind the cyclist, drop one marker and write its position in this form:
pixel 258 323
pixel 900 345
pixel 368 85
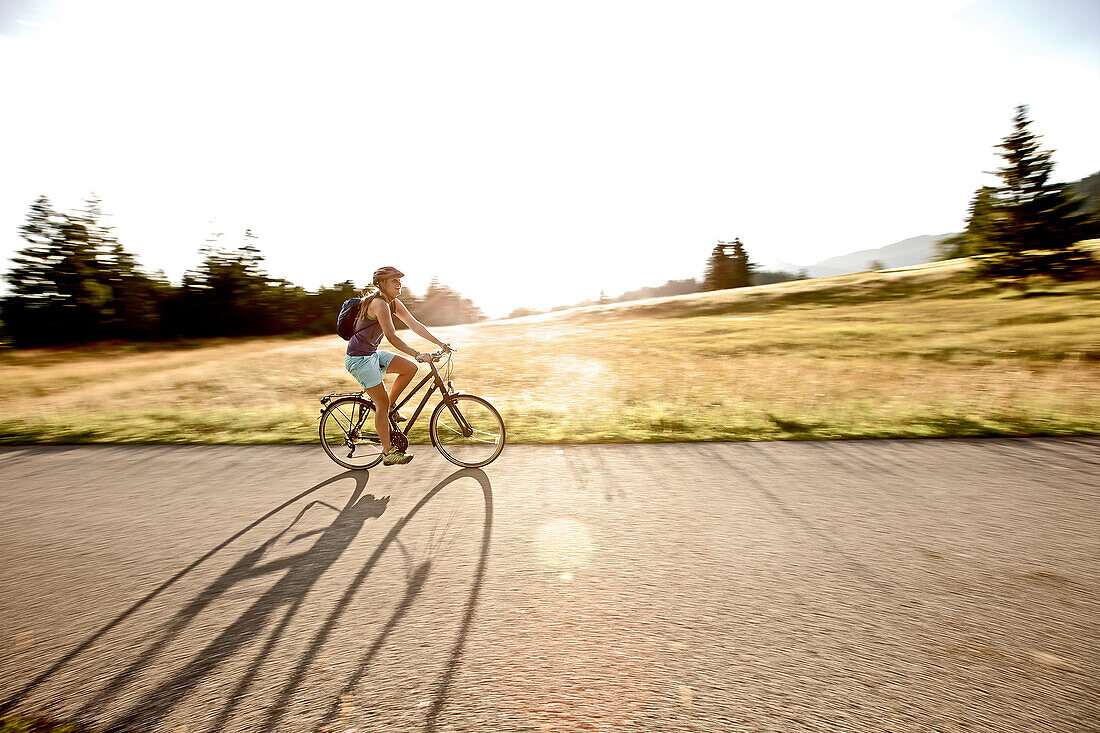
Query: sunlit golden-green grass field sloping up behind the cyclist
pixel 923 352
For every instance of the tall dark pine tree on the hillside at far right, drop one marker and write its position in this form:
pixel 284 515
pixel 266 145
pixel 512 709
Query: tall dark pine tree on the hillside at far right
pixel 1029 226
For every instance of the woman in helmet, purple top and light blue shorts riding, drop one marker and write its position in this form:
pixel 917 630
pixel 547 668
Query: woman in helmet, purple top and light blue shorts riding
pixel 368 364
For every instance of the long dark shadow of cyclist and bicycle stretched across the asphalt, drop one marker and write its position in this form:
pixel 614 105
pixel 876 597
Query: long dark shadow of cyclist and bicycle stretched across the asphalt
pixel 268 618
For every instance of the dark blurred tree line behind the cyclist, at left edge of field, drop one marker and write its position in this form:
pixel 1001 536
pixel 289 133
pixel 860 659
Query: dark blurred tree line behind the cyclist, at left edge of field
pixel 75 283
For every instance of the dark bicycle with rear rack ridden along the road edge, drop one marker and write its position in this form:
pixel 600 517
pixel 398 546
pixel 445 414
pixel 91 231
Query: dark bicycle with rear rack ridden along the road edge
pixel 466 429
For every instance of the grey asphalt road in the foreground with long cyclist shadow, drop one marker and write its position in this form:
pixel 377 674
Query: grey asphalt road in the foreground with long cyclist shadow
pixel 878 586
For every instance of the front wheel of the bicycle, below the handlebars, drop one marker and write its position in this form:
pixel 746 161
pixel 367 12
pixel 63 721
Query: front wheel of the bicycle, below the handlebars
pixel 471 435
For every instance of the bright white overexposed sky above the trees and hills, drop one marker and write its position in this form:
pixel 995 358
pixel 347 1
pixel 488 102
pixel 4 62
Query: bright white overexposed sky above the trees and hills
pixel 530 154
